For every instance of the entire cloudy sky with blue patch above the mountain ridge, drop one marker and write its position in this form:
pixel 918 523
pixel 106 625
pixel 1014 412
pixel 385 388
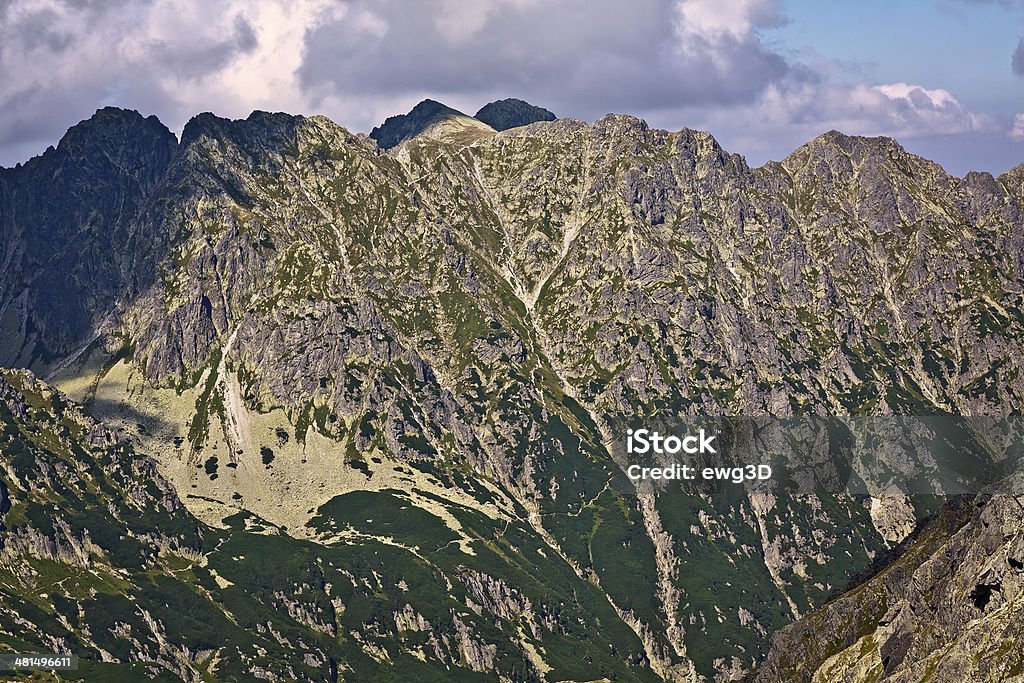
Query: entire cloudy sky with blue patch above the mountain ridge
pixel 944 77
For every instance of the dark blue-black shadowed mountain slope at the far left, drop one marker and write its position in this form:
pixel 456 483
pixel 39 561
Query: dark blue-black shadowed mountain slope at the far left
pixel 67 236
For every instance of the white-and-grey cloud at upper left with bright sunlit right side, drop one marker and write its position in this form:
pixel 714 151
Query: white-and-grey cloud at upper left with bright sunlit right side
pixel 64 59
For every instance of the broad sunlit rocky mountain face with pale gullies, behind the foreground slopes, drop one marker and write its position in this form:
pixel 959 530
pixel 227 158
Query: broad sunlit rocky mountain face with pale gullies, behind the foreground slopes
pixel 463 327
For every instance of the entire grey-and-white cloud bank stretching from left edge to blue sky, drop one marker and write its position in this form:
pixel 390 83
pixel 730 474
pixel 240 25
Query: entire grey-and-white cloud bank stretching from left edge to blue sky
pixel 360 61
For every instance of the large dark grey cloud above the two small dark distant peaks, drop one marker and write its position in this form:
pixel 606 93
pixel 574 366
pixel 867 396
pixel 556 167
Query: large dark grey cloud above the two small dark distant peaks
pixel 585 57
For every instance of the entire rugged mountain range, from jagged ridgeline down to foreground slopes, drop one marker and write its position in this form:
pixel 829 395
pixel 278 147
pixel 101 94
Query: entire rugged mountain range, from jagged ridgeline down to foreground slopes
pixel 291 403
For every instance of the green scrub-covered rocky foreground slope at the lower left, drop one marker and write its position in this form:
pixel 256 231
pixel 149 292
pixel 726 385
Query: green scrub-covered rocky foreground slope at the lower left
pixel 100 559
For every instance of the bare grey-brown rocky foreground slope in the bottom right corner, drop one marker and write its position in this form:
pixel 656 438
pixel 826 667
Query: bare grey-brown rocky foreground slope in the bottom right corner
pixel 950 609
